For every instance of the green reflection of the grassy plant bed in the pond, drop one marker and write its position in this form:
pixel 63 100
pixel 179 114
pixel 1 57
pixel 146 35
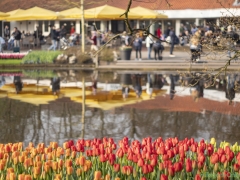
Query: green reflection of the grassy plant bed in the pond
pixel 39 73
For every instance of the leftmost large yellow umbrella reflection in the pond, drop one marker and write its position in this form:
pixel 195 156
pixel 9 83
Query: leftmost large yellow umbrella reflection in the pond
pixel 33 98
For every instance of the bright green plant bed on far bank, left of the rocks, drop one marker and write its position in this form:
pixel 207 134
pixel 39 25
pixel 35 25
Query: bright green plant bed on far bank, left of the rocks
pixel 40 57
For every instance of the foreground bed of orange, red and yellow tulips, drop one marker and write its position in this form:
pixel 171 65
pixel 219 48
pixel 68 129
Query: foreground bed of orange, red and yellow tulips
pixel 103 159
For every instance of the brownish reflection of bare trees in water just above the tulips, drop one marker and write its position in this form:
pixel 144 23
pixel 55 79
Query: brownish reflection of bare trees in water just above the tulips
pixel 60 121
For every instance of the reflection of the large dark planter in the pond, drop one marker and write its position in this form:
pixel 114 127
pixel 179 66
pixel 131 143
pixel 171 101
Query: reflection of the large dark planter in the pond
pixel 126 82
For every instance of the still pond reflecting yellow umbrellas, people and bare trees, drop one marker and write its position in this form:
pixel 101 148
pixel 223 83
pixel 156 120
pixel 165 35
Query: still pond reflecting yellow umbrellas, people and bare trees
pixel 43 106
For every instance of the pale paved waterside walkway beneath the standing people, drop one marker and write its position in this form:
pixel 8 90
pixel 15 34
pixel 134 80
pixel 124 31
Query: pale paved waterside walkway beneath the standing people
pixel 181 61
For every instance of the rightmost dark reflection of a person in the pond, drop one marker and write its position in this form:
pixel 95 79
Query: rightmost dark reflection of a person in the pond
pixel 230 88
